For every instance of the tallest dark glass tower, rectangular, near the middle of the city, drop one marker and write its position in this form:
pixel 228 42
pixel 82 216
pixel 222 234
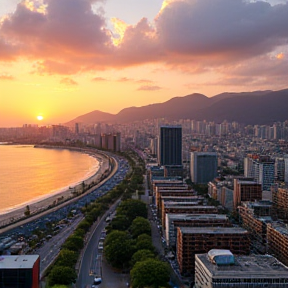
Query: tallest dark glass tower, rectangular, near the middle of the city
pixel 170 145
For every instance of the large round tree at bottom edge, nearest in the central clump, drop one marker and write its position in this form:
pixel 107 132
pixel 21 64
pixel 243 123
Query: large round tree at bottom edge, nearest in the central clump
pixel 150 272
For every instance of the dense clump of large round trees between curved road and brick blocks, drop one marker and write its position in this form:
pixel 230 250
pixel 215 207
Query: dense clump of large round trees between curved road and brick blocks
pixel 128 246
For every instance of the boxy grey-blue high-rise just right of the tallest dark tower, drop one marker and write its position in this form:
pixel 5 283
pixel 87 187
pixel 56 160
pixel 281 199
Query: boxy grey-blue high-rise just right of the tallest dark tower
pixel 203 167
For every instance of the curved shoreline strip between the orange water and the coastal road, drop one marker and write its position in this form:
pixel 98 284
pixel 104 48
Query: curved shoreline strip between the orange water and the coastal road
pixel 52 200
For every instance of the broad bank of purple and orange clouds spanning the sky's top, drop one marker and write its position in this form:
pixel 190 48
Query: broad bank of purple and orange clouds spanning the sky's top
pixel 195 36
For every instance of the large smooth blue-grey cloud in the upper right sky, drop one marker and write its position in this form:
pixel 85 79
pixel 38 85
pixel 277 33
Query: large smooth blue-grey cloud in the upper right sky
pixel 222 30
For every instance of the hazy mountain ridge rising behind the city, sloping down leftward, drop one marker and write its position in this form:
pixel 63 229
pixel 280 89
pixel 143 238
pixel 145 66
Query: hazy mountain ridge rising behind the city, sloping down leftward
pixel 258 107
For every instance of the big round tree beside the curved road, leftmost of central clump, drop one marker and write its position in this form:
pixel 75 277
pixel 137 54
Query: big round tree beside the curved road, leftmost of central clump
pixel 118 249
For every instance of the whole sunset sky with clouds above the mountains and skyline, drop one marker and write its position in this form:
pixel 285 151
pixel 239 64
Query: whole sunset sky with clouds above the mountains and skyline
pixel 64 58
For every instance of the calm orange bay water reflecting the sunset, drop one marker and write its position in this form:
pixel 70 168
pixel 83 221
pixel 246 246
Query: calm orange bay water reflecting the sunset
pixel 29 174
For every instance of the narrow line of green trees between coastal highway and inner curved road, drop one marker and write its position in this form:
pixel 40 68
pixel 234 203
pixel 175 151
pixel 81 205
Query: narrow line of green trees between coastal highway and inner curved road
pixel 63 272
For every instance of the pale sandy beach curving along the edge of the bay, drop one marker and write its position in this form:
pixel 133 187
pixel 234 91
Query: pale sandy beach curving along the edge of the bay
pixel 61 197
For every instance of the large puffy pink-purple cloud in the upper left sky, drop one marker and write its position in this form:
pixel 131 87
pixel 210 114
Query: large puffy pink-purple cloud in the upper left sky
pixel 67 34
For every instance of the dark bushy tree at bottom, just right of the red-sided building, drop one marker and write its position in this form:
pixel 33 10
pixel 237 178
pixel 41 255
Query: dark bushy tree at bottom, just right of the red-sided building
pixel 62 275
